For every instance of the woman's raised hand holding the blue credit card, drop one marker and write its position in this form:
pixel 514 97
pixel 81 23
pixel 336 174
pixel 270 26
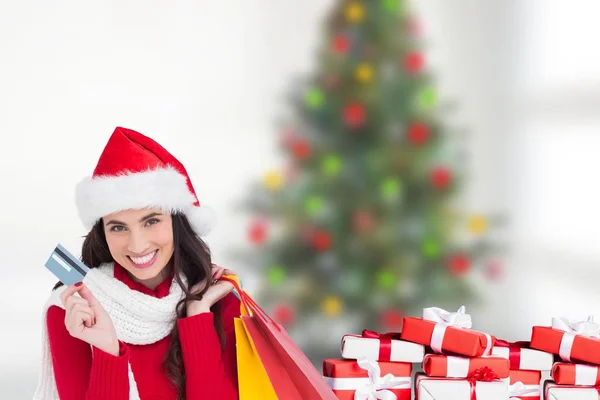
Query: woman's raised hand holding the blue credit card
pixel 87 320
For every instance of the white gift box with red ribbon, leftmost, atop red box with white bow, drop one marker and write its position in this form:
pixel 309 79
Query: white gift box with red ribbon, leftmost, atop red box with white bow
pixel 355 347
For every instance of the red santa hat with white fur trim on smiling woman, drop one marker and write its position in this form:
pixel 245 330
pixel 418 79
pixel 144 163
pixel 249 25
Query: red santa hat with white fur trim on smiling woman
pixel 136 172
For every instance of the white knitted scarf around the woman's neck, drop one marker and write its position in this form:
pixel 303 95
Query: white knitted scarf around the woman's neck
pixel 138 319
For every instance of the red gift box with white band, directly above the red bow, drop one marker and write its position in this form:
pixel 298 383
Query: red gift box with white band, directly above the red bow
pixel 462 367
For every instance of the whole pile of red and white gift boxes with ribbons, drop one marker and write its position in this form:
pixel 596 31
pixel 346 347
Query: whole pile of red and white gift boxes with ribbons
pixel 459 363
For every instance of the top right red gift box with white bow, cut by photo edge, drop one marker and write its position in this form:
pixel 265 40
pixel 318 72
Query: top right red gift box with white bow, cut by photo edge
pixel 573 341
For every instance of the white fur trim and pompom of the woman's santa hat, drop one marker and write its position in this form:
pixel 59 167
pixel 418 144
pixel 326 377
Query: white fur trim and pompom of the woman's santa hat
pixel 165 189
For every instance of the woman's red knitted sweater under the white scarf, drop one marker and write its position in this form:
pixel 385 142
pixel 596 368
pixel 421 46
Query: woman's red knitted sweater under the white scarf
pixel 86 372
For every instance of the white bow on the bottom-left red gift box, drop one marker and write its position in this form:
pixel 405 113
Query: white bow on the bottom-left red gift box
pixel 377 386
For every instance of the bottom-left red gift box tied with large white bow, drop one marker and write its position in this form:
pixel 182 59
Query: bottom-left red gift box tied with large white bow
pixel 365 379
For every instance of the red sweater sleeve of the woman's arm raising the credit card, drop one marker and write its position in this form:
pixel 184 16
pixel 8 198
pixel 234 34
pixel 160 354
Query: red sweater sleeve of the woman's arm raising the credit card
pixel 82 371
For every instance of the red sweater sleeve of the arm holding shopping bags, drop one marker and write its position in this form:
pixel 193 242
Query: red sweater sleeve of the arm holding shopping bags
pixel 210 372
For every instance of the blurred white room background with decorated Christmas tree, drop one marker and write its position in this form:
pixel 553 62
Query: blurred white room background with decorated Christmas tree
pixel 367 158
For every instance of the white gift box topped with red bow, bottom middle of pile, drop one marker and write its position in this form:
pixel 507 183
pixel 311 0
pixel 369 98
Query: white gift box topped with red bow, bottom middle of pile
pixel 429 388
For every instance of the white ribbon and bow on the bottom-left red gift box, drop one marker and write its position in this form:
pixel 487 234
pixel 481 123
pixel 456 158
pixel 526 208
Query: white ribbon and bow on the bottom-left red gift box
pixel 371 388
